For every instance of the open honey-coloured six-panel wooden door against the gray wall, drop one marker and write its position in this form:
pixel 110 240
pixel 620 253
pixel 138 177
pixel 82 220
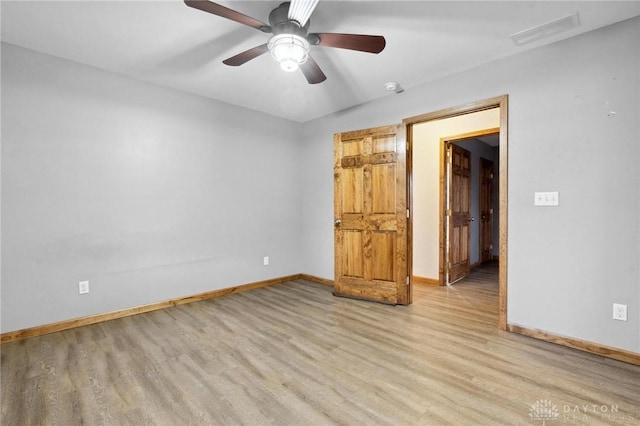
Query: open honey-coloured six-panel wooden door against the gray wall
pixel 371 215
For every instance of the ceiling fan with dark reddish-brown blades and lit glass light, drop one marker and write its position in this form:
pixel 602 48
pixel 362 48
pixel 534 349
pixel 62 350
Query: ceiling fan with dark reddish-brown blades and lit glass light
pixel 291 40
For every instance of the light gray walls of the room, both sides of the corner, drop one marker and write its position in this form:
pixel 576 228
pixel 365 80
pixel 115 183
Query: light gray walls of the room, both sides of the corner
pixel 152 194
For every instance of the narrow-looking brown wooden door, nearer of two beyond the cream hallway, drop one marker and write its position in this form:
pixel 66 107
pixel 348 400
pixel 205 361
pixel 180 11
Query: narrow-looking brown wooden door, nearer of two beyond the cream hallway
pixel 458 212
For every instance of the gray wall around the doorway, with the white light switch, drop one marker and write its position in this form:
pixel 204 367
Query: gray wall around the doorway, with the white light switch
pixel 567 265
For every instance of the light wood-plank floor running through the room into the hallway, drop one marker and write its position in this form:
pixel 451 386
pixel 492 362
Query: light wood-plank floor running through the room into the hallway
pixel 293 354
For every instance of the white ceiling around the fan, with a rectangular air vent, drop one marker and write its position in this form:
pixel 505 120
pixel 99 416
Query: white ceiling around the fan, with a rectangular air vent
pixel 170 44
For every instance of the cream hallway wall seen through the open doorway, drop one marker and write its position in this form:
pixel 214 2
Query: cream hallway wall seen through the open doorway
pixel 426 184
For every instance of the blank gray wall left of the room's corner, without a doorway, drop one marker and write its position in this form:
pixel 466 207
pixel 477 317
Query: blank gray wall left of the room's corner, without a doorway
pixel 148 193
